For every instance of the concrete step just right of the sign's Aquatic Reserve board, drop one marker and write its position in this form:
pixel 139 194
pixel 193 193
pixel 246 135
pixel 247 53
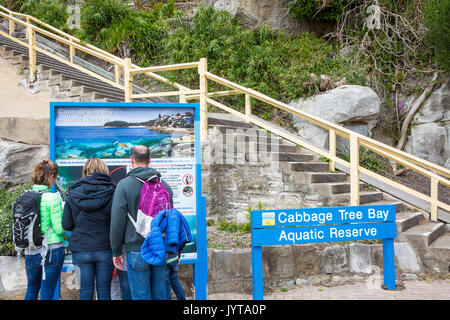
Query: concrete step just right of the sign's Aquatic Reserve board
pixel 422 235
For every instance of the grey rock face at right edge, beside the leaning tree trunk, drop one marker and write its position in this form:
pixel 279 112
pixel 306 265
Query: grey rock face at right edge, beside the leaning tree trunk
pixel 430 129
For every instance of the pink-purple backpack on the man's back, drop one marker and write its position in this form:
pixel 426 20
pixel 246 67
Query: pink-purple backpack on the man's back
pixel 154 197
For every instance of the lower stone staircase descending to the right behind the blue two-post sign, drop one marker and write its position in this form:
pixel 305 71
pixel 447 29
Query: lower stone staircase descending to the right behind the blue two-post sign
pixel 304 173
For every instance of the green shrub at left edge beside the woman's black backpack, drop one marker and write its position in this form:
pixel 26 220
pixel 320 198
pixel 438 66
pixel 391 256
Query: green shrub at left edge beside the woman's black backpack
pixel 7 198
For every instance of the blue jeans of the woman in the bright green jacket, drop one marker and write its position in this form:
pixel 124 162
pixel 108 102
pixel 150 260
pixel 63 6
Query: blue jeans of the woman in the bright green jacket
pixel 53 265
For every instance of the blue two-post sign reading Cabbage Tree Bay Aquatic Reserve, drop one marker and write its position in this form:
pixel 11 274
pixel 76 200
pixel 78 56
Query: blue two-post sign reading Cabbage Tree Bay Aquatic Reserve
pixel 311 225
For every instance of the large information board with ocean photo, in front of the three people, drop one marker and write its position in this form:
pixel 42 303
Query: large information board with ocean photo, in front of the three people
pixel 110 132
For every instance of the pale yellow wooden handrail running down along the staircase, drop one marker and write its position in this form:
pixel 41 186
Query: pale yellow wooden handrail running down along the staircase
pixel 435 173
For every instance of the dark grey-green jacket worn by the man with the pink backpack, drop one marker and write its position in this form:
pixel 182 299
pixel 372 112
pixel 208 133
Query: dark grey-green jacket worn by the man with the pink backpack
pixel 126 199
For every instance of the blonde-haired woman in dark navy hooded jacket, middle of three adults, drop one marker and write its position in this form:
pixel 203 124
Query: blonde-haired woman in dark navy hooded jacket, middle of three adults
pixel 87 213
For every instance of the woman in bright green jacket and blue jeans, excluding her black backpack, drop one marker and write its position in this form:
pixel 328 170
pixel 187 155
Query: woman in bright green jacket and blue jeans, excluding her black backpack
pixel 45 279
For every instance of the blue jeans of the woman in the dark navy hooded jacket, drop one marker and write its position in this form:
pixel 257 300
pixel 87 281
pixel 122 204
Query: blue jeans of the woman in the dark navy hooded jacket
pixel 96 268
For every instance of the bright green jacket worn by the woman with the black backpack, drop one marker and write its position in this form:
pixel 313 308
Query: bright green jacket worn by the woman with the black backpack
pixel 51 214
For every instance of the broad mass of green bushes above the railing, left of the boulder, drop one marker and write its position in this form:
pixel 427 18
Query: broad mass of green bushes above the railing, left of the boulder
pixel 271 62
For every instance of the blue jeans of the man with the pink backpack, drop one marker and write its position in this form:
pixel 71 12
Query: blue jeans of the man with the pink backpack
pixel 147 282
